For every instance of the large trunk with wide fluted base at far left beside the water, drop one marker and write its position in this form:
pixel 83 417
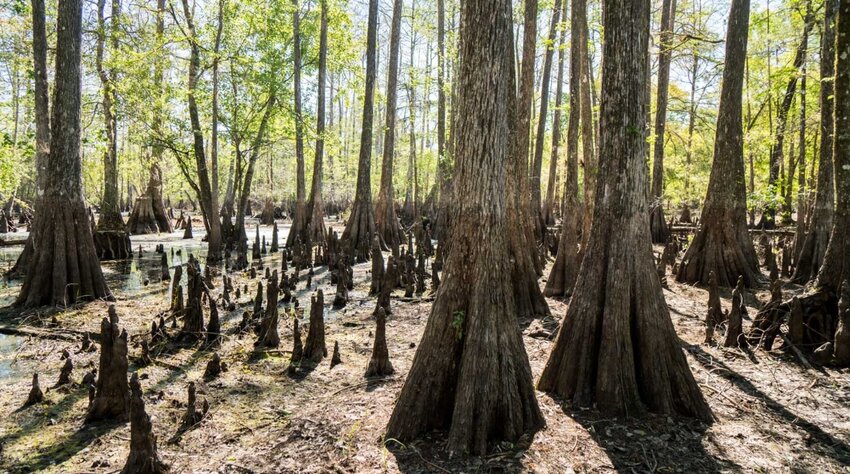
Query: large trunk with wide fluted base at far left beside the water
pixel 64 266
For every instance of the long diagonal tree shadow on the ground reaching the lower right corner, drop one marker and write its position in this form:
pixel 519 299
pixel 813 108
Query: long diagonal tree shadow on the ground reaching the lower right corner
pixel 817 439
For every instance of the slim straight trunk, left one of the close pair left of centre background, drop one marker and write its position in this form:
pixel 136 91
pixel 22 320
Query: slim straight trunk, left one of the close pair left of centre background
pixel 298 231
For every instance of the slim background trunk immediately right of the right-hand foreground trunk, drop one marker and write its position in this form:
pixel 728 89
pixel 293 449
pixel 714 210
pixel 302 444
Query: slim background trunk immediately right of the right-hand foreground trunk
pixel 657 224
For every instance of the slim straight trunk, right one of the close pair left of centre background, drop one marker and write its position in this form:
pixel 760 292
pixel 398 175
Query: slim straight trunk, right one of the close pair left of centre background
pixel 316 206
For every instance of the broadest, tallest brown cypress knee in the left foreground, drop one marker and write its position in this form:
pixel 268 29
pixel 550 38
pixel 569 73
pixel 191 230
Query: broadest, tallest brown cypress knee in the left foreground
pixel 112 393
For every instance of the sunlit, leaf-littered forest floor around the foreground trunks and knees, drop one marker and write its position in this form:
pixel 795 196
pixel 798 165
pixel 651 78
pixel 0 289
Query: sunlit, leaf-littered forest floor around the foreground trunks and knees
pixel 773 414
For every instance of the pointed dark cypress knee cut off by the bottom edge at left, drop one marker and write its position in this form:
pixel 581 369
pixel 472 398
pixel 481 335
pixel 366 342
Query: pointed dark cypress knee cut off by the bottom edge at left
pixel 143 458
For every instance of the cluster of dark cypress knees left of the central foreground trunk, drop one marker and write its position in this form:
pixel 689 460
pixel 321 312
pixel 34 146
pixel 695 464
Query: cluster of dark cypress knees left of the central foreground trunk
pixel 112 396
